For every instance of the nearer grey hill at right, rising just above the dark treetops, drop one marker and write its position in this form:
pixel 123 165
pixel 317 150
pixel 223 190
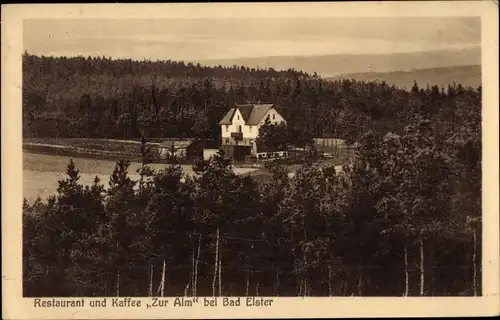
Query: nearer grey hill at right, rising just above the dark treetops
pixel 442 77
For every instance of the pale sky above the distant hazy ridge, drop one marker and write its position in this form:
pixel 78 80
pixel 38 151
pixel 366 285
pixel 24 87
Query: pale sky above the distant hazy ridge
pixel 203 39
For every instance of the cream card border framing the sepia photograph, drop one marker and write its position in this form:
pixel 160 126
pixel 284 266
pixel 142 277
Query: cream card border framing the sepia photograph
pixel 16 307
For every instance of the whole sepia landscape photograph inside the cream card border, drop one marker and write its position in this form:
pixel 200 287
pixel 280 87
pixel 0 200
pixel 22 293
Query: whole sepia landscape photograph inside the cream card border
pixel 251 157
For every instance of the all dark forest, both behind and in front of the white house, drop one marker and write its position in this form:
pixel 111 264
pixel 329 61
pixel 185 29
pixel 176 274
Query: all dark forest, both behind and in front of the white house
pixel 404 219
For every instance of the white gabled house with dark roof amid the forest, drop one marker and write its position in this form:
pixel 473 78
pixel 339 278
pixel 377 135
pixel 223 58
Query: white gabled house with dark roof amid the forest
pixel 240 125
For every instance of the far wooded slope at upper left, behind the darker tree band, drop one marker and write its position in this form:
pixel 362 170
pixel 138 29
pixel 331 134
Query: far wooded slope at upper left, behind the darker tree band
pixel 60 78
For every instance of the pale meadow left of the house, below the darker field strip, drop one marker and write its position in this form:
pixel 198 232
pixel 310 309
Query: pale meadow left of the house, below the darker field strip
pixel 41 172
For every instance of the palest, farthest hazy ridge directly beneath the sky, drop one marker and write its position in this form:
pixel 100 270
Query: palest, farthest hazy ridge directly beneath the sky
pixel 337 64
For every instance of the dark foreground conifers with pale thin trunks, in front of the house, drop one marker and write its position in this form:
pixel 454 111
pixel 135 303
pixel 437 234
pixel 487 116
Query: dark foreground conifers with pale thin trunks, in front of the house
pixel 403 220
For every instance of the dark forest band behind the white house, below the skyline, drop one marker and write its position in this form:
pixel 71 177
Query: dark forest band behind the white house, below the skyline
pixel 104 98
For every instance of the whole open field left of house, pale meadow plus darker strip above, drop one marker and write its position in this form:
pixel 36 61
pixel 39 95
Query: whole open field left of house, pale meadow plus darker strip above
pixel 45 161
